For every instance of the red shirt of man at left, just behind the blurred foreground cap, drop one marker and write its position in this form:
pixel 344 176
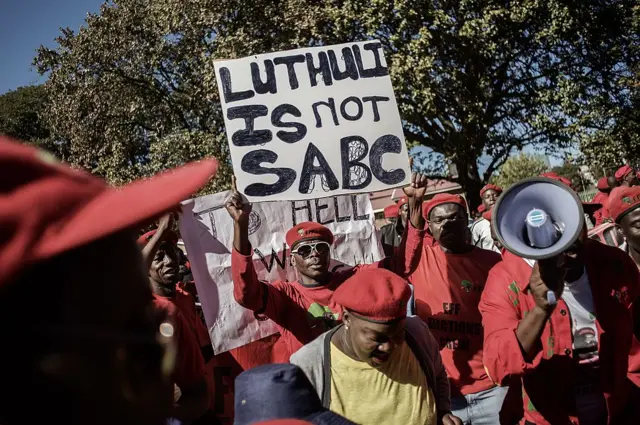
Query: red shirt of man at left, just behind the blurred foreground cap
pixel 189 367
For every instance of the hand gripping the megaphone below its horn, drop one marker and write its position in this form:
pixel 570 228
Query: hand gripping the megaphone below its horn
pixel 547 282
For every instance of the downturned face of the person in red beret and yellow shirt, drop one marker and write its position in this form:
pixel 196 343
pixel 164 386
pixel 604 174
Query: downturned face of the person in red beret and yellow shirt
pixel 373 343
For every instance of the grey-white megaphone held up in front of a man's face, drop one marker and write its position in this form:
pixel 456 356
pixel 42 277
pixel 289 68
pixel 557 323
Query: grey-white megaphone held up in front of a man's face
pixel 538 218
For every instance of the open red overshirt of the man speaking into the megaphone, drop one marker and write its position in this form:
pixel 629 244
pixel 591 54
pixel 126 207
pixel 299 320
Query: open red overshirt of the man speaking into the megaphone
pixel 548 379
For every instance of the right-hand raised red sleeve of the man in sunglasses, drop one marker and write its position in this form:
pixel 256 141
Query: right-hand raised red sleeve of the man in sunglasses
pixel 404 259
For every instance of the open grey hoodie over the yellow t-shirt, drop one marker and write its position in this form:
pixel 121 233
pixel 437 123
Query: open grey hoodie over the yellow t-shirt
pixel 315 361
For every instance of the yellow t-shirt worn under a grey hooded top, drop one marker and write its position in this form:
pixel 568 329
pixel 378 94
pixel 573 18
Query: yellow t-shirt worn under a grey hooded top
pixel 395 393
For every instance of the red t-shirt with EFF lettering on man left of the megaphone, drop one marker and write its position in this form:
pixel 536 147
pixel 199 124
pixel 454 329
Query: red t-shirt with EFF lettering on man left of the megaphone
pixel 447 290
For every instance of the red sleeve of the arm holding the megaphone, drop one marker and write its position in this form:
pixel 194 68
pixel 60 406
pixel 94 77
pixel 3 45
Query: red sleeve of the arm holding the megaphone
pixel 502 354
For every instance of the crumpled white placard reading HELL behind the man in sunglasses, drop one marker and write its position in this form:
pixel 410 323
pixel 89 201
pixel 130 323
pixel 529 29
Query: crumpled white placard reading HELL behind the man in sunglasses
pixel 207 230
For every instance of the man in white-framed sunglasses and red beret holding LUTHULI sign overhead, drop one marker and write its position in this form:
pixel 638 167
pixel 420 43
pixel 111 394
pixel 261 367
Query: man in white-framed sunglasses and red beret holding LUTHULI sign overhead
pixel 304 309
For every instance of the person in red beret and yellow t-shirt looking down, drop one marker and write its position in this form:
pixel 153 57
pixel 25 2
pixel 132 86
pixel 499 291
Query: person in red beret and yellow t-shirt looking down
pixel 379 367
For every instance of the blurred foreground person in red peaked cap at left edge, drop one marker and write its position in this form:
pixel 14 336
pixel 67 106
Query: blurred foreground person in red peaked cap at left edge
pixel 82 343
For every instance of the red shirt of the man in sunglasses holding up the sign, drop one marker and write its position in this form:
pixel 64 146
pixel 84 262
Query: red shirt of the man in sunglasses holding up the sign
pixel 302 313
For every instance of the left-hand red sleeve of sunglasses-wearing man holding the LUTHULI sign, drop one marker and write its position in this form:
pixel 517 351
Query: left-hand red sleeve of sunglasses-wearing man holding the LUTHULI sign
pixel 252 293
